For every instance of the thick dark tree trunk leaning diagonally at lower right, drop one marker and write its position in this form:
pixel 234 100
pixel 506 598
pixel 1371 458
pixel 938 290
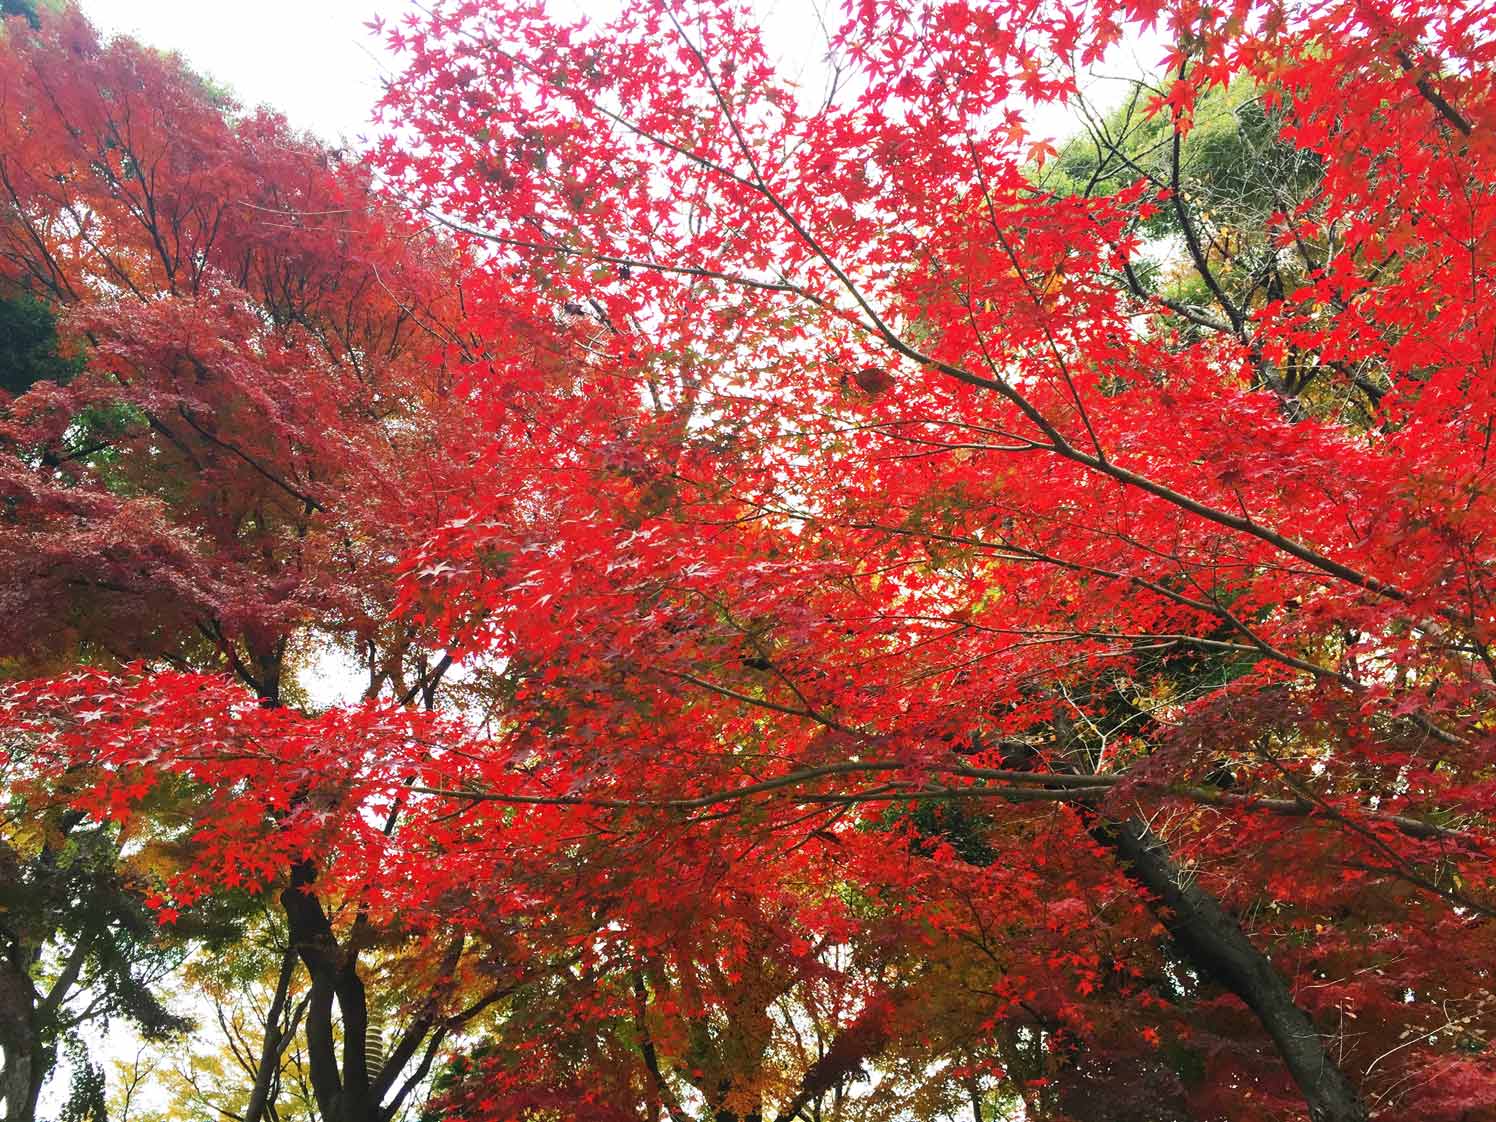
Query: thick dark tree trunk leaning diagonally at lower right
pixel 1215 943
